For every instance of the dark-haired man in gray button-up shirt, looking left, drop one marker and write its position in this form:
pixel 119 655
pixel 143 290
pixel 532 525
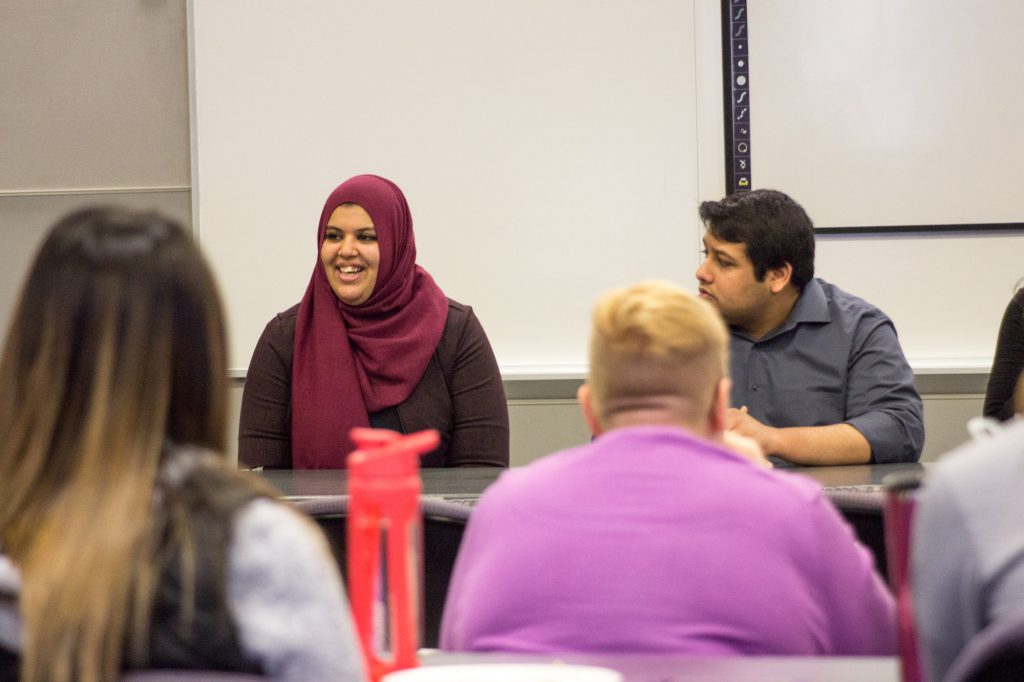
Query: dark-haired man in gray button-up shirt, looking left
pixel 819 374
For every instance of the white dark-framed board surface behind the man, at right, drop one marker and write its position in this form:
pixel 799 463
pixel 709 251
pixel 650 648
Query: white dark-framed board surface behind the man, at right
pixel 889 113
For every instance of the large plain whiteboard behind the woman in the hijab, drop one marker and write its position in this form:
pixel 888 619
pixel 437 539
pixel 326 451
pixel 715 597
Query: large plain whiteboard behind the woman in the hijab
pixel 549 151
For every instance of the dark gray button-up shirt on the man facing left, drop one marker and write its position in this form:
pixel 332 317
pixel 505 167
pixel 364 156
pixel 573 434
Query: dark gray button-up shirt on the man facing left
pixel 835 360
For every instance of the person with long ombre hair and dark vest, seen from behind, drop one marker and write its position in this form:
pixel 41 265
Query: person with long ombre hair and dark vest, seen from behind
pixel 126 541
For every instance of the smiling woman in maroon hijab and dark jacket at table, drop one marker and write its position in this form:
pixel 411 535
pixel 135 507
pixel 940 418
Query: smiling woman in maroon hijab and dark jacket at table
pixel 374 343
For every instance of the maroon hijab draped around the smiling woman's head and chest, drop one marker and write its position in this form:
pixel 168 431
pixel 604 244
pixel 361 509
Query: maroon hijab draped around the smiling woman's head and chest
pixel 352 361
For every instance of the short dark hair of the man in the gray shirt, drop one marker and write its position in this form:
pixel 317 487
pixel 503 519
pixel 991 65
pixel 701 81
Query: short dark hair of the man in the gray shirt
pixel 776 230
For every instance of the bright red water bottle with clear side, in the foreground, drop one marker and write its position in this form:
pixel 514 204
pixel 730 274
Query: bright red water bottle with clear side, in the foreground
pixel 386 545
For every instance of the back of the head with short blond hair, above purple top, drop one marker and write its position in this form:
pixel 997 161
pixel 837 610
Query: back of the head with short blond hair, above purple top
pixel 654 339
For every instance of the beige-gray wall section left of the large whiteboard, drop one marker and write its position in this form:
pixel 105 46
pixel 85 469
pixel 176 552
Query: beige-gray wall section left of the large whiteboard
pixel 95 110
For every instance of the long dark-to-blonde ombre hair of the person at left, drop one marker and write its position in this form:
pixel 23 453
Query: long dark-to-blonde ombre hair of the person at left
pixel 116 348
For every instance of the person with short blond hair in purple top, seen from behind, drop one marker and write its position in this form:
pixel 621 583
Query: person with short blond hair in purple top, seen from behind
pixel 657 537
